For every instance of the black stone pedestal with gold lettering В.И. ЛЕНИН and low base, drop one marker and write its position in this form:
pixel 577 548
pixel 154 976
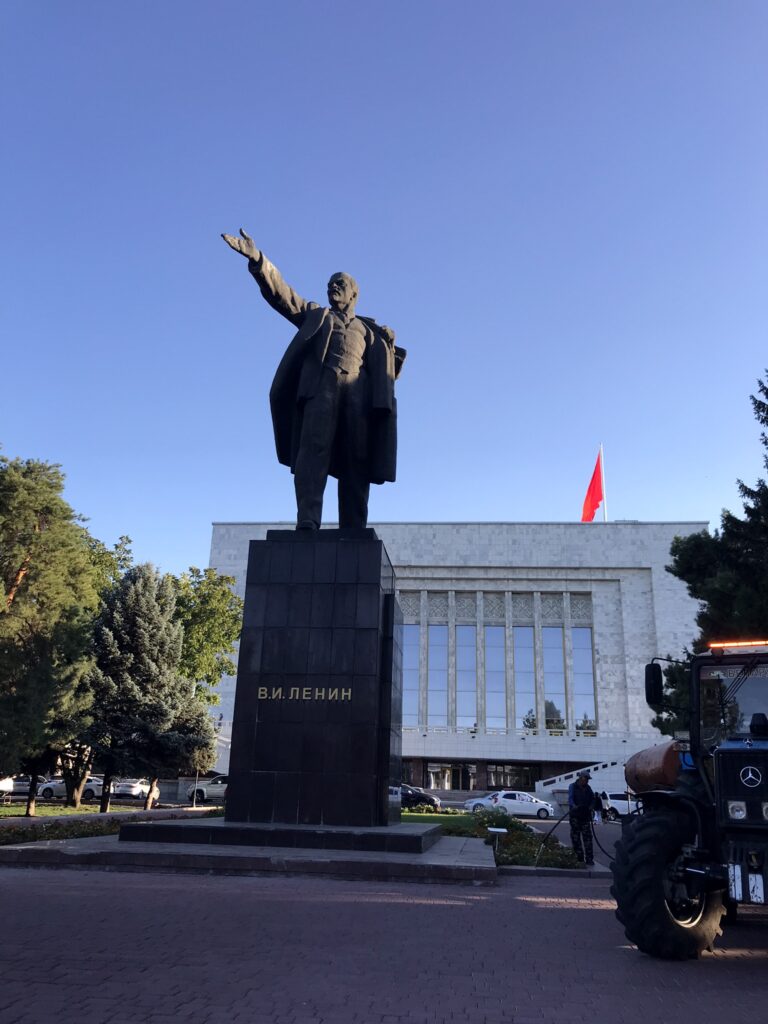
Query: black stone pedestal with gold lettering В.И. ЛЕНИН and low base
pixel 317 733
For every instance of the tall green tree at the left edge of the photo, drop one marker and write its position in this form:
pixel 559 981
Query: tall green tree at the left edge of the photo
pixel 49 596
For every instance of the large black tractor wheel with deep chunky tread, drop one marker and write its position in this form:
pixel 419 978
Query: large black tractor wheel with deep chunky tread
pixel 661 912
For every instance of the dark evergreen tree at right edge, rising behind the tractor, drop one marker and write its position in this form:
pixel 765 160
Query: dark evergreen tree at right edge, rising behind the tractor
pixel 728 573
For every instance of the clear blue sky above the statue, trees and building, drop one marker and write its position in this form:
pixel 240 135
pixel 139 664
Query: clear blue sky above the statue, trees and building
pixel 560 207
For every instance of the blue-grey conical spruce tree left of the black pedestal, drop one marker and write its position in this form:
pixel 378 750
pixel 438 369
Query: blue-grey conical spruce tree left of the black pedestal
pixel 147 718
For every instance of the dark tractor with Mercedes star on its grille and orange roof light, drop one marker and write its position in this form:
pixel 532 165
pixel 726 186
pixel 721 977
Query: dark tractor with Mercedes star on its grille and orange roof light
pixel 698 848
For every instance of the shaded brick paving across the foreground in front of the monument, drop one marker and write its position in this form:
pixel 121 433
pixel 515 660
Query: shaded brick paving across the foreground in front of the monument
pixel 99 948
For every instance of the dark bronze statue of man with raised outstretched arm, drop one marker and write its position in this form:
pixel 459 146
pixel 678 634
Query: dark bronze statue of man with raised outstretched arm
pixel 332 400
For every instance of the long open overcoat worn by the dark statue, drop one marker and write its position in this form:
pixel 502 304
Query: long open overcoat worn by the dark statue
pixel 298 375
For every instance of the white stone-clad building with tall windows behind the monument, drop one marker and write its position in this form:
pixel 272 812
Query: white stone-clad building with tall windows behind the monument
pixel 525 643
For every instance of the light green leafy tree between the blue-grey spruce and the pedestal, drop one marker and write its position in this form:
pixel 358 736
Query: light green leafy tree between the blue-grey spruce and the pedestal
pixel 211 616
